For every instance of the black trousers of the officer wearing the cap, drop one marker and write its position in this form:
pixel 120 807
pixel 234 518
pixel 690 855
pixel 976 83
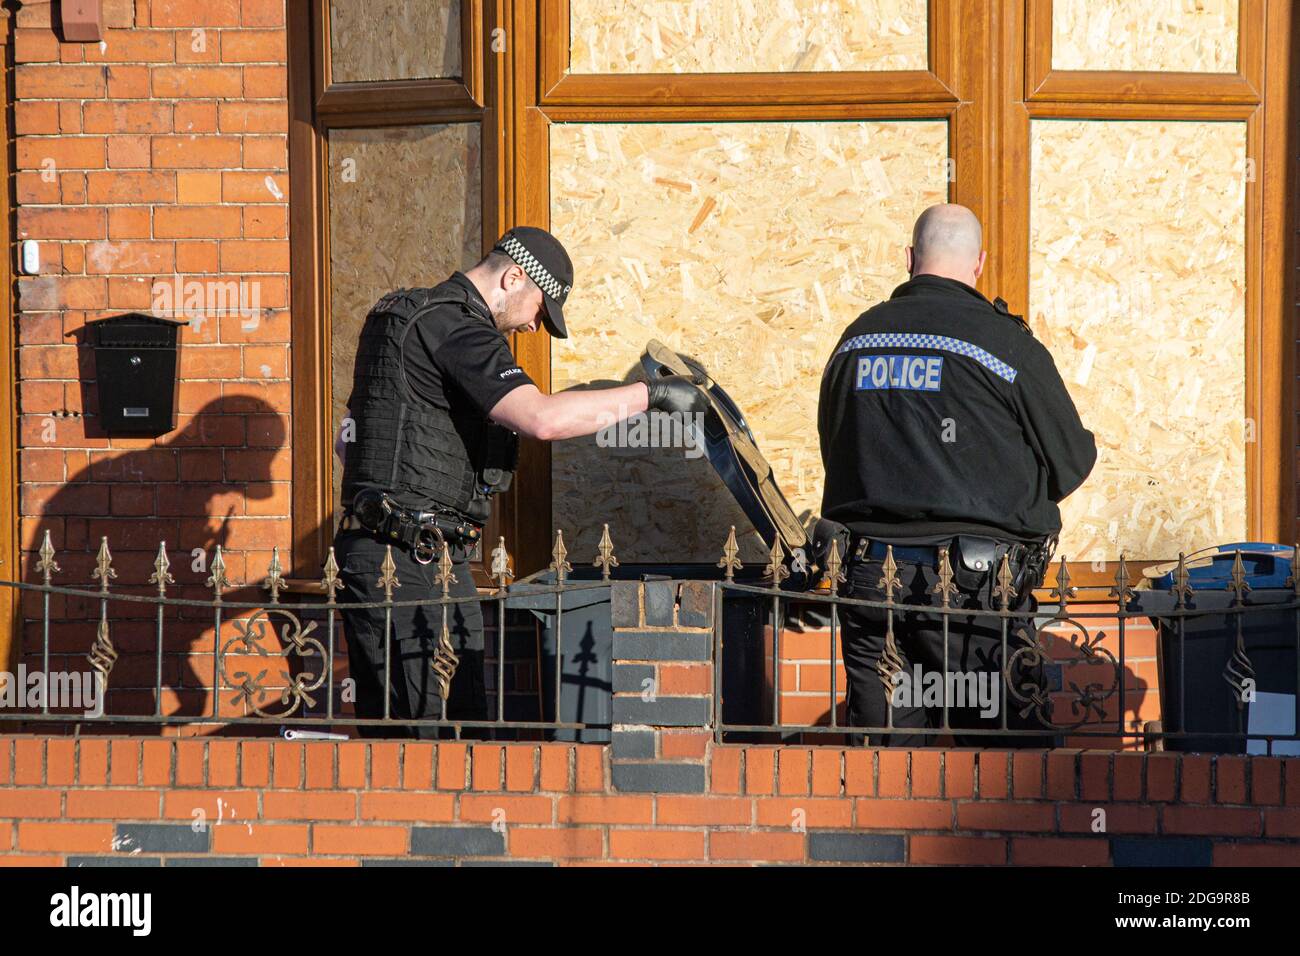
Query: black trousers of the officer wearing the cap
pixel 414 634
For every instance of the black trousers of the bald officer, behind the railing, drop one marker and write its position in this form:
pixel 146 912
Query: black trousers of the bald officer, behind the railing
pixel 974 648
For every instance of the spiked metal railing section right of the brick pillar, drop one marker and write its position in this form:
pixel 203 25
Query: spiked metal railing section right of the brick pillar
pixel 1032 665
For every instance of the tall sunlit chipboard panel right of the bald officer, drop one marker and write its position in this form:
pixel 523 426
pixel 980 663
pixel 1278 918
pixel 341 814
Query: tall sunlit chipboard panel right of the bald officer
pixel 1137 285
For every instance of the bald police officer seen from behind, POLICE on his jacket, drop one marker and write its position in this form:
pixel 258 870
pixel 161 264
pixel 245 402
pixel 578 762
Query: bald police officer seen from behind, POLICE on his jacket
pixel 944 425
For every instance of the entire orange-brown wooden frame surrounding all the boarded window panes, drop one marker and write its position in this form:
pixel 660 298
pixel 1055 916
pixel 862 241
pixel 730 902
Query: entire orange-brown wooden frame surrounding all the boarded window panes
pixel 985 79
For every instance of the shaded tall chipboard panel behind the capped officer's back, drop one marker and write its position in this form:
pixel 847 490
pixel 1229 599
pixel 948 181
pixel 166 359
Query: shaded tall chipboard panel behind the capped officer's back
pixel 404 211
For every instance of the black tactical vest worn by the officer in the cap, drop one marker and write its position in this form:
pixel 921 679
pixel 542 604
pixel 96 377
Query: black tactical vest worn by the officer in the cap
pixel 415 452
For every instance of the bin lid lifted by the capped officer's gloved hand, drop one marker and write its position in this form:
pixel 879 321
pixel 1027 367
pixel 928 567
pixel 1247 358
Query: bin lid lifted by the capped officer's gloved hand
pixel 734 455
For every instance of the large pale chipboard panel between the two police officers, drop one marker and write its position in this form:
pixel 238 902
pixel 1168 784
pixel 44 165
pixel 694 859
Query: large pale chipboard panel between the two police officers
pixel 749 246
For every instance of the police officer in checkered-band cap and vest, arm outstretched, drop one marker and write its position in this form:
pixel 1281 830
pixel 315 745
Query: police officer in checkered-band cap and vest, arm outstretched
pixel 437 405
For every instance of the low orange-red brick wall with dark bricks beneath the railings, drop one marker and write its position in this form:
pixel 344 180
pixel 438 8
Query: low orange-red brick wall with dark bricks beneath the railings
pixel 246 802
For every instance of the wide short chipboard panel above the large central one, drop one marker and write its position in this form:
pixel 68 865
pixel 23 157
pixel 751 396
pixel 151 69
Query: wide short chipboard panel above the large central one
pixel 747 36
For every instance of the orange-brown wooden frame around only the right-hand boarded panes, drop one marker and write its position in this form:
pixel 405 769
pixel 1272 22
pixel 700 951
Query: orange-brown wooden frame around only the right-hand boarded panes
pixel 1267 63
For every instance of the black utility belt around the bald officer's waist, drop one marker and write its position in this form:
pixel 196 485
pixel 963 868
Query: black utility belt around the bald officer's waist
pixel 976 560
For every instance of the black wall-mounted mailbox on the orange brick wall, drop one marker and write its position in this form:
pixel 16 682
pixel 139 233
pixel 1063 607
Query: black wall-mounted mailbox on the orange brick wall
pixel 136 369
